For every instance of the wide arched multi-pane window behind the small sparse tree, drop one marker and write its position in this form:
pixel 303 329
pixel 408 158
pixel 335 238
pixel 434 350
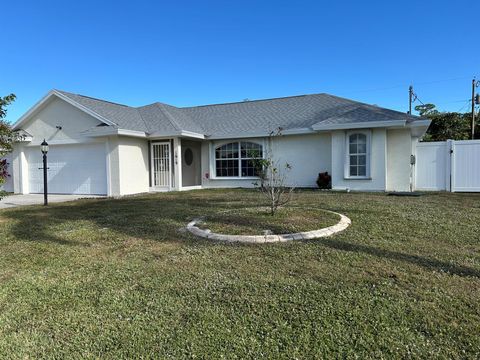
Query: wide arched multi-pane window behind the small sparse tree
pixel 235 159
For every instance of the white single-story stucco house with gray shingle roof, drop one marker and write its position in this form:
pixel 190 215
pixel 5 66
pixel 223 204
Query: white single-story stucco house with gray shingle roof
pixel 100 147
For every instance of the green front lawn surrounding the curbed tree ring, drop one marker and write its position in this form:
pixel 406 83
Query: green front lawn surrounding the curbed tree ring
pixel 119 278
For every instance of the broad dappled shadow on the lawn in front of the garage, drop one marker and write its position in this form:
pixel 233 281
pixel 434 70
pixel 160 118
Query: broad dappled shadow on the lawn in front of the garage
pixel 149 218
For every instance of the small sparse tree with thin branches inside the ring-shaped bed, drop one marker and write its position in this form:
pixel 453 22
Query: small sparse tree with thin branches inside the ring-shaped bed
pixel 272 179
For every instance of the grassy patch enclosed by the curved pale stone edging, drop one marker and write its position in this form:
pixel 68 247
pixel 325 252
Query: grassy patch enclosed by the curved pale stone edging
pixel 257 221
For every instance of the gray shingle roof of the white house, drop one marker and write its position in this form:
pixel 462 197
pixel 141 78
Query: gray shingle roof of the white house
pixel 260 116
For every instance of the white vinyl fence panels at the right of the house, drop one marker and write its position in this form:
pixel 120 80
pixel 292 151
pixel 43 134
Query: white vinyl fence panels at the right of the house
pixel 448 166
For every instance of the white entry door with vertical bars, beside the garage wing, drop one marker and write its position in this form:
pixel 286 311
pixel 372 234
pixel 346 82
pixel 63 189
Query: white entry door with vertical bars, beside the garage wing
pixel 161 165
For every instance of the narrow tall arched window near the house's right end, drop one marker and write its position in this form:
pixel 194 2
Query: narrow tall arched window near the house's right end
pixel 358 153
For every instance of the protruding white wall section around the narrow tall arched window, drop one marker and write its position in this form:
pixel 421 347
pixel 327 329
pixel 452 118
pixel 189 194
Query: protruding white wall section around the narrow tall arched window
pixel 377 180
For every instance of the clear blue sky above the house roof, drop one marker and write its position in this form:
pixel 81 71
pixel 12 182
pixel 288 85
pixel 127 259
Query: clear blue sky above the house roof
pixel 200 52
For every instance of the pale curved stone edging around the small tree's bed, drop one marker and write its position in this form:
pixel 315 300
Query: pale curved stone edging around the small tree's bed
pixel 306 235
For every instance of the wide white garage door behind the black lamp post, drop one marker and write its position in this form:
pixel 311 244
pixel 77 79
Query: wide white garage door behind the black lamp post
pixel 72 169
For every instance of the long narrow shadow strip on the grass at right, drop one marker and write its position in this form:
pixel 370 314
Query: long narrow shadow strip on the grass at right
pixel 427 263
